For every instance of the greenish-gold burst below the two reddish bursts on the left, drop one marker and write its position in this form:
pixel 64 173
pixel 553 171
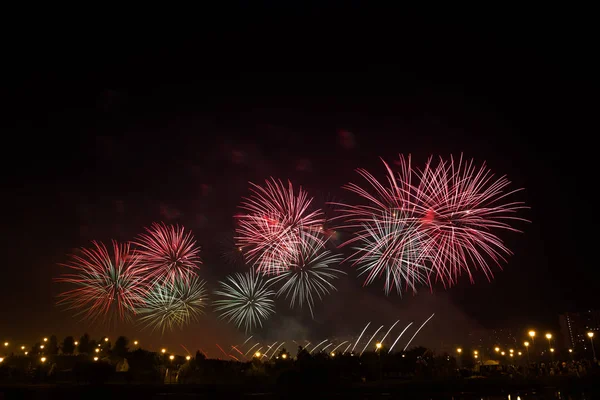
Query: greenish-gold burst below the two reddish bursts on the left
pixel 171 304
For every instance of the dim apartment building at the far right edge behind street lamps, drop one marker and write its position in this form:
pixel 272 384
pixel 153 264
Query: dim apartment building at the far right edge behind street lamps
pixel 575 327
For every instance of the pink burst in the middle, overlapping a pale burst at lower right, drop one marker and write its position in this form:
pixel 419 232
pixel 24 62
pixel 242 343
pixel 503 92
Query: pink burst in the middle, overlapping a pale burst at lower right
pixel 275 221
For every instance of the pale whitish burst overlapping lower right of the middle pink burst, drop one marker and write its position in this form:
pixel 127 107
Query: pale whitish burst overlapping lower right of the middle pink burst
pixel 309 274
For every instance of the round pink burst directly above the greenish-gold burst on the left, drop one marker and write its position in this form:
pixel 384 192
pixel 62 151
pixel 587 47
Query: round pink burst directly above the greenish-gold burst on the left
pixel 168 252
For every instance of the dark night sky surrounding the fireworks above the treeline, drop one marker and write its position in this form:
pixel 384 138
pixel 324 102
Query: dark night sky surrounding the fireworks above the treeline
pixel 106 132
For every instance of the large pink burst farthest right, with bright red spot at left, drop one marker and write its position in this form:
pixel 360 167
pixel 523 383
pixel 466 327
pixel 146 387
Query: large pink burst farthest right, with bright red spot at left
pixel 460 207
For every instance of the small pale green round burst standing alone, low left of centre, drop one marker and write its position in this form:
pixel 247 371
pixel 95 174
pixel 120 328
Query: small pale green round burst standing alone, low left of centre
pixel 246 300
